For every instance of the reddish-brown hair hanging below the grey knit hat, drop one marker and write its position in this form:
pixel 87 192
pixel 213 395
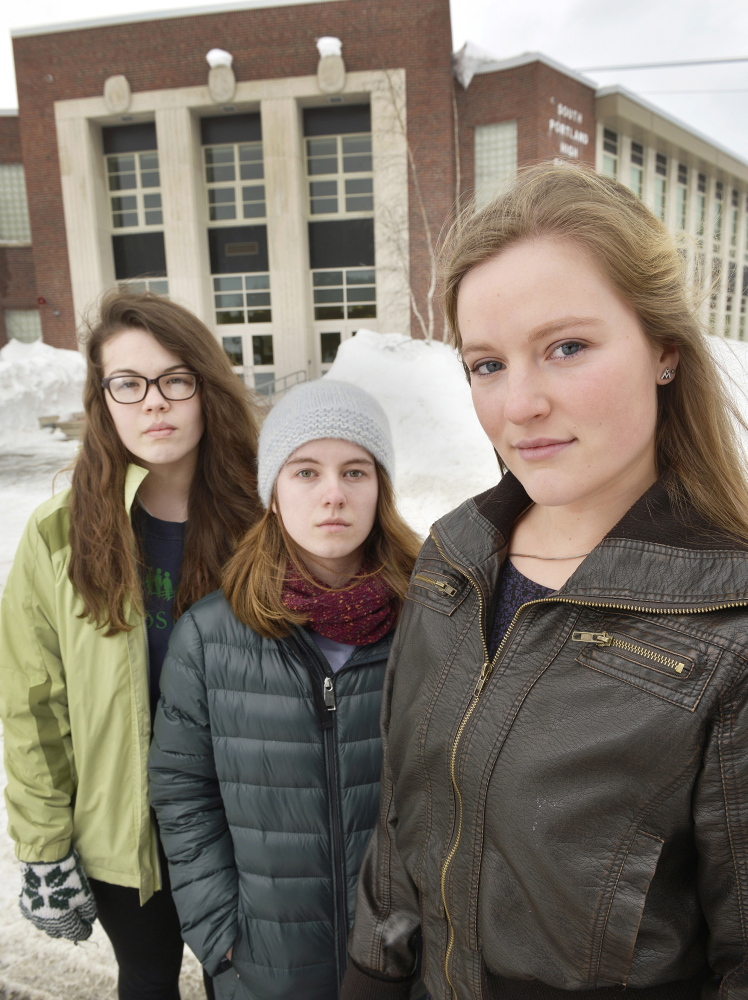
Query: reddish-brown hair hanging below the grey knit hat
pixel 254 577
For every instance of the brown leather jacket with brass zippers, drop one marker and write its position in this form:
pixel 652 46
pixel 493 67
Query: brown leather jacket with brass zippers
pixel 575 812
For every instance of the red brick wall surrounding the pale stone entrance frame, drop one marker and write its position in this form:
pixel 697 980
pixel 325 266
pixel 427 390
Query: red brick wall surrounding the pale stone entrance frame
pixel 266 43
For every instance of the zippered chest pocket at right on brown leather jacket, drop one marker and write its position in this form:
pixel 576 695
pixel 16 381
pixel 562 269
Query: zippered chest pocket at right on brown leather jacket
pixel 658 659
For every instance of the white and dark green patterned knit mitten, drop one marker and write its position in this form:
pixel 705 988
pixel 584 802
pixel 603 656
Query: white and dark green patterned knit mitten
pixel 57 898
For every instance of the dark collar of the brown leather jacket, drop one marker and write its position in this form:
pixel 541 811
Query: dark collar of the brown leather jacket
pixel 654 558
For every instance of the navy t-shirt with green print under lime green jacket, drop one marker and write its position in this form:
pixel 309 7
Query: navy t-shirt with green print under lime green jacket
pixel 162 545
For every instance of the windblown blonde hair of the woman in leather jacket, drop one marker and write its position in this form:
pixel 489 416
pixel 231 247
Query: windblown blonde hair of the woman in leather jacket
pixel 696 438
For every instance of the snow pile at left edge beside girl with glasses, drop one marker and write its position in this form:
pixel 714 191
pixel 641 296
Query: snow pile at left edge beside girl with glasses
pixel 37 380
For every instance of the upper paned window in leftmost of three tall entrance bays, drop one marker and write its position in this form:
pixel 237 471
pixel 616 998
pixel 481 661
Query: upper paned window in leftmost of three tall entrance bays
pixel 137 175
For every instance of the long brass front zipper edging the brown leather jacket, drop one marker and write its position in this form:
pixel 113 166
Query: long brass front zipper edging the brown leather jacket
pixel 485 674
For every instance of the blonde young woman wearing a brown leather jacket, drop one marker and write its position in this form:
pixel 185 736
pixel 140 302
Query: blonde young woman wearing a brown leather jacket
pixel 565 782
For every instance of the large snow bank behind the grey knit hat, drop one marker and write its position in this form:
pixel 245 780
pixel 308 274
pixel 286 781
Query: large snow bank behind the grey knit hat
pixel 442 456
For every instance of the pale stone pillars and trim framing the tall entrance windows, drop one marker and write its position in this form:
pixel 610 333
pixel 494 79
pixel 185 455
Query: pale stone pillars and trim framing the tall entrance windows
pixel 176 113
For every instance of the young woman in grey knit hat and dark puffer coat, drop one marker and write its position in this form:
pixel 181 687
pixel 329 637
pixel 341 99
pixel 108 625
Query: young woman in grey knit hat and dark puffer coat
pixel 266 755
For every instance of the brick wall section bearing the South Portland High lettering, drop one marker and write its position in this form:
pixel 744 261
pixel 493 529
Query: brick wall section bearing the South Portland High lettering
pixel 531 95
